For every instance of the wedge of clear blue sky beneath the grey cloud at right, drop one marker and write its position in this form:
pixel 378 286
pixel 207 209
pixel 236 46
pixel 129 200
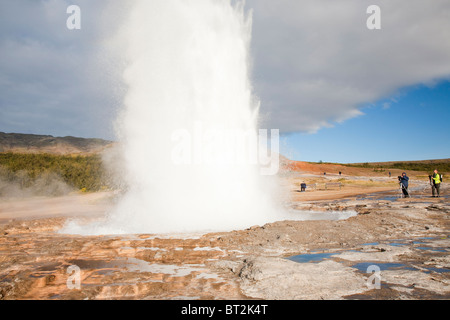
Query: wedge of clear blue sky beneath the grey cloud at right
pixel 410 125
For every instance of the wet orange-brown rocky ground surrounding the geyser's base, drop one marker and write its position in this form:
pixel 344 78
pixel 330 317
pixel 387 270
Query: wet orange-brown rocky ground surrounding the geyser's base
pixel 391 249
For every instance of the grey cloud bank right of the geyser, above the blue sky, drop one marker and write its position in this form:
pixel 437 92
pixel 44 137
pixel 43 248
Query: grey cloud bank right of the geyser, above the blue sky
pixel 316 63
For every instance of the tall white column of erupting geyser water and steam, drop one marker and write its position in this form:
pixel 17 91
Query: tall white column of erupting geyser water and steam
pixel 189 122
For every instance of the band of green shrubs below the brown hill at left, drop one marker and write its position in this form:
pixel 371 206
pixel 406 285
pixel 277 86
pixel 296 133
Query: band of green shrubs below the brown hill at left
pixel 80 172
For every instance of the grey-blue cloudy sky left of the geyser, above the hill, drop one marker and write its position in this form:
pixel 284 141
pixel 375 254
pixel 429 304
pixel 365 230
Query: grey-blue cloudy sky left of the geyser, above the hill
pixel 53 80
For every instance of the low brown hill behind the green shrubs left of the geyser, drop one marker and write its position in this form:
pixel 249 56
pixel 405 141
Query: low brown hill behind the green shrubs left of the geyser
pixel 31 143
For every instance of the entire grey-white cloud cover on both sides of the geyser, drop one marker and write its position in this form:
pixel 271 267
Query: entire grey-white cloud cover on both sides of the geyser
pixel 315 61
